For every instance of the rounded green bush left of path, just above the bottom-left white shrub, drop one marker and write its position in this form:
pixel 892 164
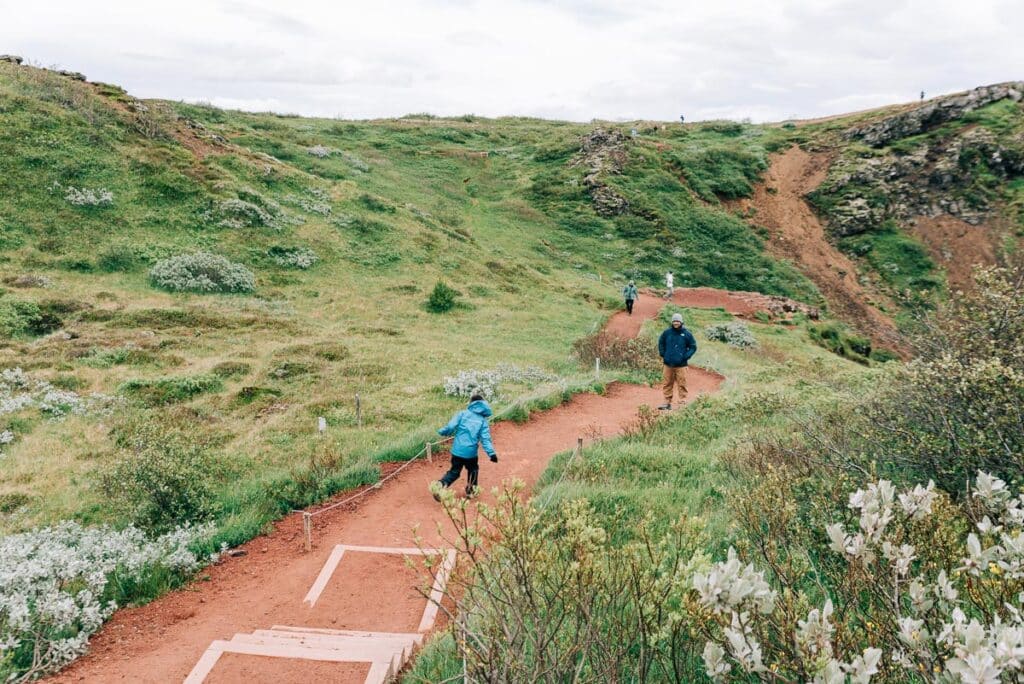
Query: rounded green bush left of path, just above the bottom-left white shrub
pixel 165 475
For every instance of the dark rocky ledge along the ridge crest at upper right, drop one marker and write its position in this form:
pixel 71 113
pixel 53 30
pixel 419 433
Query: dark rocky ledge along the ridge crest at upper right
pixel 934 113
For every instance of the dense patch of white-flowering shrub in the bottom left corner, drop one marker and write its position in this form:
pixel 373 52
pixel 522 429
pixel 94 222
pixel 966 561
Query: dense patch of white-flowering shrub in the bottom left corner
pixel 58 585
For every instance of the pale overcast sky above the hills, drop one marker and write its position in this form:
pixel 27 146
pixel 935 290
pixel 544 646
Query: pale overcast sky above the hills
pixel 577 60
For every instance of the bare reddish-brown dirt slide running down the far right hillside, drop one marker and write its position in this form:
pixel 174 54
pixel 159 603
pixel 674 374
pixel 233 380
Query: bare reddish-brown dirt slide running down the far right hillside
pixel 797 234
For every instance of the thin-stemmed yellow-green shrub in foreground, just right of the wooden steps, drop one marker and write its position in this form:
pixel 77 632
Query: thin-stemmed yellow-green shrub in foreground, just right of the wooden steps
pixel 563 602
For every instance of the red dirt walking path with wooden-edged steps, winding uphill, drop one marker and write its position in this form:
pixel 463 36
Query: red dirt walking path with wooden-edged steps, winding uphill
pixel 267 587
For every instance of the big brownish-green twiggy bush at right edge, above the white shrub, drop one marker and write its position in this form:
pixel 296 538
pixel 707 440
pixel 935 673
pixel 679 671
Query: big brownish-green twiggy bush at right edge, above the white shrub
pixel 960 407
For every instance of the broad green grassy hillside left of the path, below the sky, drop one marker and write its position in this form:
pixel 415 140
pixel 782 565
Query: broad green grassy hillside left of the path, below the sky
pixel 347 228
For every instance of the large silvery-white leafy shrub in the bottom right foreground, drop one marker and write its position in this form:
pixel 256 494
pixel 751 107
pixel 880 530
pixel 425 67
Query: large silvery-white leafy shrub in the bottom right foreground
pixel 907 612
